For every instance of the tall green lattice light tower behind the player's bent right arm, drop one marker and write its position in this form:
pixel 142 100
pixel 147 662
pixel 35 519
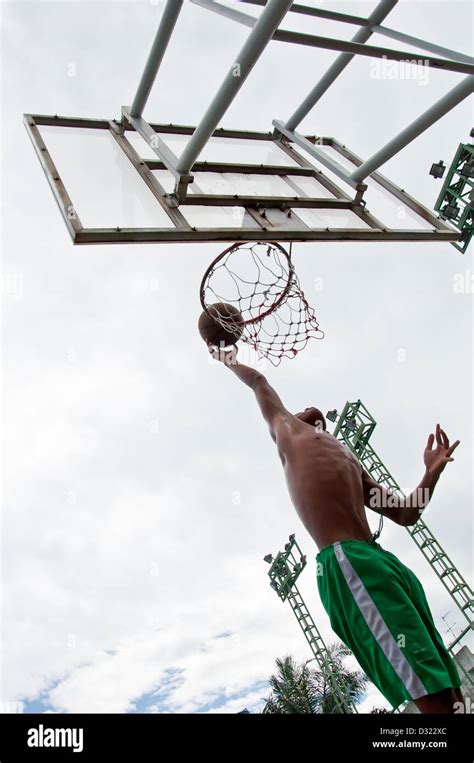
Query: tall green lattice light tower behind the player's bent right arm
pixel 354 428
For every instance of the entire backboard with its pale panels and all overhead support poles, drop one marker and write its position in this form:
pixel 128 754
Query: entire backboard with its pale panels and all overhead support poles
pixel 127 180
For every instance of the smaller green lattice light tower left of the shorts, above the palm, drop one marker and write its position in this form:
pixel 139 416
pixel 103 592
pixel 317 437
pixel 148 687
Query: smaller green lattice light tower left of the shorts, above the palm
pixel 283 573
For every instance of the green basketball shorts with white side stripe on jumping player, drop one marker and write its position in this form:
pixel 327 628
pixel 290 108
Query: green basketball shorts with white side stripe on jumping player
pixel 378 608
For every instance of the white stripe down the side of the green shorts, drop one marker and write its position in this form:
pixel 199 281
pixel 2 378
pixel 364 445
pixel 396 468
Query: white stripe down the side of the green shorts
pixel 378 627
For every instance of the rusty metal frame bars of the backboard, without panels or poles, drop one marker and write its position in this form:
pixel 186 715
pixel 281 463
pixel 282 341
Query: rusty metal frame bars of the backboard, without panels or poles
pixel 264 214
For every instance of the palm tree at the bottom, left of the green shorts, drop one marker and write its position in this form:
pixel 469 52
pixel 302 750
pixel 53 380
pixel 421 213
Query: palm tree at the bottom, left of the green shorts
pixel 302 689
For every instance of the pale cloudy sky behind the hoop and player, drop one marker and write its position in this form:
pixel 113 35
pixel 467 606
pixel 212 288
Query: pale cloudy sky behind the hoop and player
pixel 140 488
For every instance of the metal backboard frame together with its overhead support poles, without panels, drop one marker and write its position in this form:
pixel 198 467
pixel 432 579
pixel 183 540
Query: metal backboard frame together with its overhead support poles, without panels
pixel 293 214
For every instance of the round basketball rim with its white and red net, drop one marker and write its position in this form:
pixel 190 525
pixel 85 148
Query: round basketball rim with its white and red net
pixel 259 280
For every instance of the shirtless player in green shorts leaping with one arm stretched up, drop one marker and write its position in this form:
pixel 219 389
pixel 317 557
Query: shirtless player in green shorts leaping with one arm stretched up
pixel 376 605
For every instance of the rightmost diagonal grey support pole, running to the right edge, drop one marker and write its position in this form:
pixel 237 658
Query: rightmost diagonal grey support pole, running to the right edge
pixel 429 117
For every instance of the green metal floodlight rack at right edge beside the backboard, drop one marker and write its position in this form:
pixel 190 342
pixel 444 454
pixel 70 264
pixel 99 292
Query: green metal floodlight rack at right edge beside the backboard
pixel 456 200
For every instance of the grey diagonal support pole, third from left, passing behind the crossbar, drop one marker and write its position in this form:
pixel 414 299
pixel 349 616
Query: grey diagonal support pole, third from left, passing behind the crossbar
pixel 376 17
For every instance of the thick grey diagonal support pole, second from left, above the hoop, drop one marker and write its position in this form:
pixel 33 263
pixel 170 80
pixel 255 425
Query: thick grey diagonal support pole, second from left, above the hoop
pixel 255 44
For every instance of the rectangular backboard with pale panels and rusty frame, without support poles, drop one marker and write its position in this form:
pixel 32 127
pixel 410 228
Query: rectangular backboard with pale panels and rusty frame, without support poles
pixel 111 188
